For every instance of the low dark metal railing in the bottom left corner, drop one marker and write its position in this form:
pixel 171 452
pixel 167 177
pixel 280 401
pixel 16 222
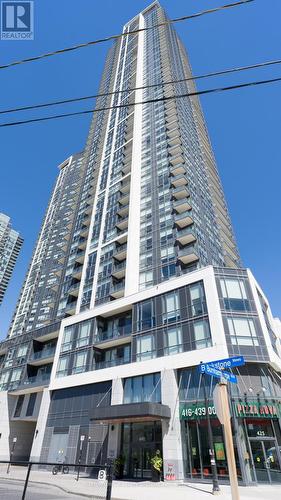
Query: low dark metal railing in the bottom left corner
pixel 101 475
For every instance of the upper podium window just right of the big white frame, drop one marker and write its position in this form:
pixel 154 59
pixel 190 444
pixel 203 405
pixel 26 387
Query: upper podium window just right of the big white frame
pixel 234 294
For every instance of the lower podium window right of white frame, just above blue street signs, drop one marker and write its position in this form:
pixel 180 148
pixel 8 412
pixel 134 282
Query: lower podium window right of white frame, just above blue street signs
pixel 242 331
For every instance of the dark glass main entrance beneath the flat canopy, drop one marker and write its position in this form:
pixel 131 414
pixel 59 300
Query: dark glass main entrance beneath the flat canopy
pixel 140 440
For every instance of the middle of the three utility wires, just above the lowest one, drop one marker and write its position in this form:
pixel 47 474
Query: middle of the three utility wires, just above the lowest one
pixel 94 96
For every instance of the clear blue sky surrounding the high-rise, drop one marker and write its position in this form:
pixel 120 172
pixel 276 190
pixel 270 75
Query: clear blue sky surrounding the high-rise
pixel 244 125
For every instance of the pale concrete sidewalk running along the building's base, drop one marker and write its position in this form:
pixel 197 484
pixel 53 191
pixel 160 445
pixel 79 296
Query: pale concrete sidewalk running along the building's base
pixel 125 490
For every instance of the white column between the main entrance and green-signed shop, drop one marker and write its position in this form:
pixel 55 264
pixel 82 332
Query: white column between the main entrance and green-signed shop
pixel 171 430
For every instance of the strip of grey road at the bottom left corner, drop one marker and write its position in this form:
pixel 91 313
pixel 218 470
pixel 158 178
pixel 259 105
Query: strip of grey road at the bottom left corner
pixel 12 490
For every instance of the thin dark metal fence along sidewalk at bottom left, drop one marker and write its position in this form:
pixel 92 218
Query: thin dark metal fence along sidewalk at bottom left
pixel 99 476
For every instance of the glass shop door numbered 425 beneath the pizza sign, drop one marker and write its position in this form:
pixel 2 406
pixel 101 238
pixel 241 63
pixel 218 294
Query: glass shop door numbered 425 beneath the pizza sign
pixel 266 458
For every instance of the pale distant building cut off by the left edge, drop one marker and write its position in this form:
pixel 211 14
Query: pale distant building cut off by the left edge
pixel 10 245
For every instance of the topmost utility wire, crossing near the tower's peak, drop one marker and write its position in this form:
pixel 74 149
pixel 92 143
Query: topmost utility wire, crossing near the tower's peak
pixel 121 35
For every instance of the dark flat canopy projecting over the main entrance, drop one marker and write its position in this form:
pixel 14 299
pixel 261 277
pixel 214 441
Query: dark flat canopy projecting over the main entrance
pixel 132 412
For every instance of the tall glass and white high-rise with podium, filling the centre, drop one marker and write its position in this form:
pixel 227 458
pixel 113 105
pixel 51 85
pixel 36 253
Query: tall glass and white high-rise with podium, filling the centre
pixel 136 279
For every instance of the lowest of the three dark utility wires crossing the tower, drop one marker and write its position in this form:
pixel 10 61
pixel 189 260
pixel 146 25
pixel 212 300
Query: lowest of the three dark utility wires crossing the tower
pixel 149 101
